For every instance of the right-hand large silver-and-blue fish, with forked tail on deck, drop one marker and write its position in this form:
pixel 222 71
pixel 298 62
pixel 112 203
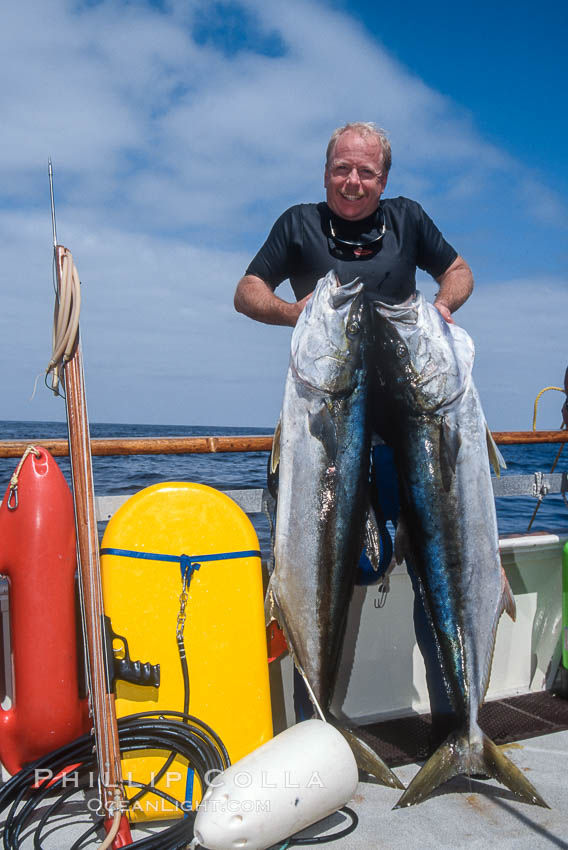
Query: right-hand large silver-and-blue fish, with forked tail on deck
pixel 442 449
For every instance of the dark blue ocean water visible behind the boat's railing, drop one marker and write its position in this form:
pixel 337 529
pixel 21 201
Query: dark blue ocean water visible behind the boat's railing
pixel 229 470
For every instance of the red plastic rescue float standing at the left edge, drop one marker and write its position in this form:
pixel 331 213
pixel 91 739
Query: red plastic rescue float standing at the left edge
pixel 38 555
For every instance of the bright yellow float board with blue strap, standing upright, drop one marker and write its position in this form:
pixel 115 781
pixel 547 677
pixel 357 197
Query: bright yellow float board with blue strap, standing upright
pixel 224 633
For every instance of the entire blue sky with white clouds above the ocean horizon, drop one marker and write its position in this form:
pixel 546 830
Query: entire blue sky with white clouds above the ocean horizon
pixel 179 130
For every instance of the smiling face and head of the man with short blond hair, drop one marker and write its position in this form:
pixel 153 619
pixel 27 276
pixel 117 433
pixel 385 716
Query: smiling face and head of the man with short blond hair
pixel 354 178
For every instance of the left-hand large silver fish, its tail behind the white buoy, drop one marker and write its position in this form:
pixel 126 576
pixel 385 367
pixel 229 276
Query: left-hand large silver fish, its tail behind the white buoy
pixel 322 449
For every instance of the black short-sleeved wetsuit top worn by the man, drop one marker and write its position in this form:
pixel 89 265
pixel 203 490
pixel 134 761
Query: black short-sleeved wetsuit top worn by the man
pixel 300 247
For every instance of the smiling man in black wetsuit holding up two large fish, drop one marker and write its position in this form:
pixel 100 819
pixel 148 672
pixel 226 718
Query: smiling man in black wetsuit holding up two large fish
pixel 383 242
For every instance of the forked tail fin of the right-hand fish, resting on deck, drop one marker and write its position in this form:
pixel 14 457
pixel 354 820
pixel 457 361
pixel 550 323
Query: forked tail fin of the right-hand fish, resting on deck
pixel 458 756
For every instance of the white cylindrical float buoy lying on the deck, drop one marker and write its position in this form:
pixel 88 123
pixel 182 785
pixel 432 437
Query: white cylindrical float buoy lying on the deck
pixel 297 778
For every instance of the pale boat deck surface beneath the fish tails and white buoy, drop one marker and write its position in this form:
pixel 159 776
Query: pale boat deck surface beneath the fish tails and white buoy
pixel 462 813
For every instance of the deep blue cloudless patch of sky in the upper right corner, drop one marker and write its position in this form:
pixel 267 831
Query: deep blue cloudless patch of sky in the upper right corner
pixel 501 59
